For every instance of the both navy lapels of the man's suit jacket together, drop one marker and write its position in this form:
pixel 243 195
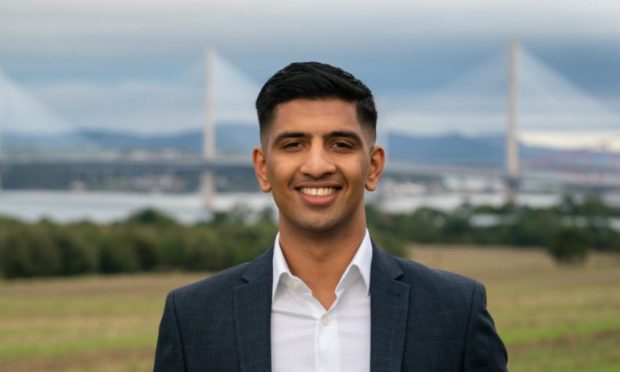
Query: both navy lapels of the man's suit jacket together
pixel 389 303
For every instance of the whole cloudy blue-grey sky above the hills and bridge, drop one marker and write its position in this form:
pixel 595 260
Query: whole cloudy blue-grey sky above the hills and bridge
pixel 138 65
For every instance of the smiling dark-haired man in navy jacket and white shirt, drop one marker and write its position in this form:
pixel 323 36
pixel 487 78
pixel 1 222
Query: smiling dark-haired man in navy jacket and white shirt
pixel 325 298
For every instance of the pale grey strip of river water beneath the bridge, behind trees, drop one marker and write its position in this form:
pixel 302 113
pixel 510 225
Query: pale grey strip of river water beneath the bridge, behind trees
pixel 104 207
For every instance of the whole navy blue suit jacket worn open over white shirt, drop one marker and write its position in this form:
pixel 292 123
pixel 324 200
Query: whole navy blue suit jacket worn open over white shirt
pixel 421 320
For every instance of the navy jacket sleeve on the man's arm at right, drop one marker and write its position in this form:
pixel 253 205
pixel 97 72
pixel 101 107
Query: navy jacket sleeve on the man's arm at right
pixel 484 350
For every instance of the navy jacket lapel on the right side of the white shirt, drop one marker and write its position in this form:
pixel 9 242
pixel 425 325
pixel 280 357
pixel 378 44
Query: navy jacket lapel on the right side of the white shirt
pixel 389 303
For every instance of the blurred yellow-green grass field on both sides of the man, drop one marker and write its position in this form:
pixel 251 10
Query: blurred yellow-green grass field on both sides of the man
pixel 551 318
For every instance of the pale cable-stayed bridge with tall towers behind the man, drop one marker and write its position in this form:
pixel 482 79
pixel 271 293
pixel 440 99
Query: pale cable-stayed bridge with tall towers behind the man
pixel 514 116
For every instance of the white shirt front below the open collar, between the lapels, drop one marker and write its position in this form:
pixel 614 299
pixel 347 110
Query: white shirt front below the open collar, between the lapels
pixel 307 337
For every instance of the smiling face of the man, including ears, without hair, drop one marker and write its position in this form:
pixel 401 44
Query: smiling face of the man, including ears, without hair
pixel 317 160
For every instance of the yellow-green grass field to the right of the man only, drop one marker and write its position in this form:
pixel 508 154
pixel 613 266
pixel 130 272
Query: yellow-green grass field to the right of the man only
pixel 551 318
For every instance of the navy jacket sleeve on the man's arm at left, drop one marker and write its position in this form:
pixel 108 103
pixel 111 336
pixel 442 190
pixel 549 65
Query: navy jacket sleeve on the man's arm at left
pixel 169 355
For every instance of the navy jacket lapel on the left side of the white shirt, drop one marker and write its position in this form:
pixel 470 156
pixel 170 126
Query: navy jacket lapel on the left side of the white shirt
pixel 253 315
